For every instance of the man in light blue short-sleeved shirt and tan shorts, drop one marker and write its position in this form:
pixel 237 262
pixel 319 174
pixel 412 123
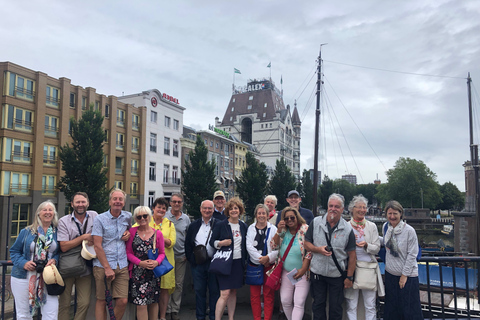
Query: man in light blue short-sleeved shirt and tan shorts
pixel 110 231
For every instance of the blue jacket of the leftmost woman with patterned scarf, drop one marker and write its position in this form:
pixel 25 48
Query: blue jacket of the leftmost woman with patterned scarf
pixel 20 252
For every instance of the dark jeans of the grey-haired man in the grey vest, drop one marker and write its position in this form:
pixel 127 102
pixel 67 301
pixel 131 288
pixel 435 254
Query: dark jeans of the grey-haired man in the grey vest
pixel 320 286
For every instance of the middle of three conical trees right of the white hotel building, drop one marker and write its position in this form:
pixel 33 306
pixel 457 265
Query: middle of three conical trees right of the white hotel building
pixel 252 184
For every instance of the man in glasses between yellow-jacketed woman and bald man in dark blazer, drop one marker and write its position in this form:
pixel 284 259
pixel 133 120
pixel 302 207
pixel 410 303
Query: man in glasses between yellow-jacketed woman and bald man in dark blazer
pixel 181 222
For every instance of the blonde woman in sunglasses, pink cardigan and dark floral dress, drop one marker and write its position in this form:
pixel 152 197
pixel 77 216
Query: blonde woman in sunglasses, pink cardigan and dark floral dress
pixel 144 288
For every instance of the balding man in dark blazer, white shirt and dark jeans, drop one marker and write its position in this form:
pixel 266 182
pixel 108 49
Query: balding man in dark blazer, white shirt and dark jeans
pixel 199 233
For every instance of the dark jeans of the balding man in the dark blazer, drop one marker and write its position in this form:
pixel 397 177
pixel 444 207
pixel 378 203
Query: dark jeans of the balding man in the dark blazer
pixel 201 280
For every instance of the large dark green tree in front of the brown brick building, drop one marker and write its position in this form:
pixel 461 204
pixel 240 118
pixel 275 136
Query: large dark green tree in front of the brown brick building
pixel 83 161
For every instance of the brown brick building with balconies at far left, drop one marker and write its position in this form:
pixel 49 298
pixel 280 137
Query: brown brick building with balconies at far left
pixel 35 121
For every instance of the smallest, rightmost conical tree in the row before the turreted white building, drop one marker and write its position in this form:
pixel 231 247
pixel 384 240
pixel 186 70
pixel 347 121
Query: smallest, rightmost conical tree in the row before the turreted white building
pixel 282 181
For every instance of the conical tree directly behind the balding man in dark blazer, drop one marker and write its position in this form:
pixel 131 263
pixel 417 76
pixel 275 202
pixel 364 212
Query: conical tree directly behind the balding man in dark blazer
pixel 198 178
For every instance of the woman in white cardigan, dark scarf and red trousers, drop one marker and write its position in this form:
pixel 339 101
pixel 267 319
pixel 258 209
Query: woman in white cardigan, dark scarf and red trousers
pixel 256 240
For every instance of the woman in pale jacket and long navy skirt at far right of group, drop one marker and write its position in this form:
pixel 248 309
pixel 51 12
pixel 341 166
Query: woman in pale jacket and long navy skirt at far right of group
pixel 402 298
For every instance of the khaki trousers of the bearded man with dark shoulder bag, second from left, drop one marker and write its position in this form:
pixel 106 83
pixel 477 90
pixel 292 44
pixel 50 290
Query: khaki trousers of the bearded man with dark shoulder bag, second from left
pixel 83 287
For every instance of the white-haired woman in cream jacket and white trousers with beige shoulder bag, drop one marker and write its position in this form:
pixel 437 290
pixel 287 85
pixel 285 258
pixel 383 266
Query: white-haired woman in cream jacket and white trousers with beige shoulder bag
pixel 368 245
